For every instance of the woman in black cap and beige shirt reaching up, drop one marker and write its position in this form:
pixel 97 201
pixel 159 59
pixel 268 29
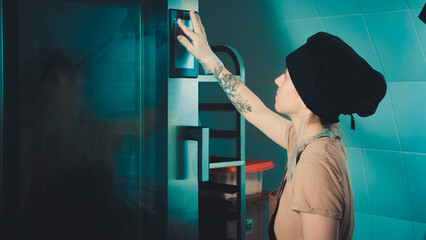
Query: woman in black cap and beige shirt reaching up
pixel 323 79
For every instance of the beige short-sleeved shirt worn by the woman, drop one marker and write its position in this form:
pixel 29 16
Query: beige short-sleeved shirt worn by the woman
pixel 320 185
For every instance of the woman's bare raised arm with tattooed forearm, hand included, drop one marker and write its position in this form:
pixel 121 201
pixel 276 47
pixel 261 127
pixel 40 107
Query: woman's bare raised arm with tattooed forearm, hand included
pixel 245 101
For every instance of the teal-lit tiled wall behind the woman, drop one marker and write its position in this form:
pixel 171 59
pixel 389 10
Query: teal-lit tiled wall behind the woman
pixel 387 151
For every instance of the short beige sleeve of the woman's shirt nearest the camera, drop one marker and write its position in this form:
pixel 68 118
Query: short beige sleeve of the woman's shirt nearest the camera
pixel 315 190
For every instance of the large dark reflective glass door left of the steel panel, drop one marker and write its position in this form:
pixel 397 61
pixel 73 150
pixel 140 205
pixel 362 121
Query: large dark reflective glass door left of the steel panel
pixel 85 106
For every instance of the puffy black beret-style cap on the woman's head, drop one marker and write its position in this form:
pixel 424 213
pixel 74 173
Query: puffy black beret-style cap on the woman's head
pixel 332 79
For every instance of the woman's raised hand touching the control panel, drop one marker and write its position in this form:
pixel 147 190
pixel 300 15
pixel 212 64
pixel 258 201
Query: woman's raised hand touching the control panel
pixel 199 48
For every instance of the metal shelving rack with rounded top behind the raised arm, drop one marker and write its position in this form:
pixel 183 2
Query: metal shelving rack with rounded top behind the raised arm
pixel 239 135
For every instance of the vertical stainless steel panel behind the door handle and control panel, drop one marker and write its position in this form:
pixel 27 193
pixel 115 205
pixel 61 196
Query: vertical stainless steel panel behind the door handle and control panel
pixel 182 194
